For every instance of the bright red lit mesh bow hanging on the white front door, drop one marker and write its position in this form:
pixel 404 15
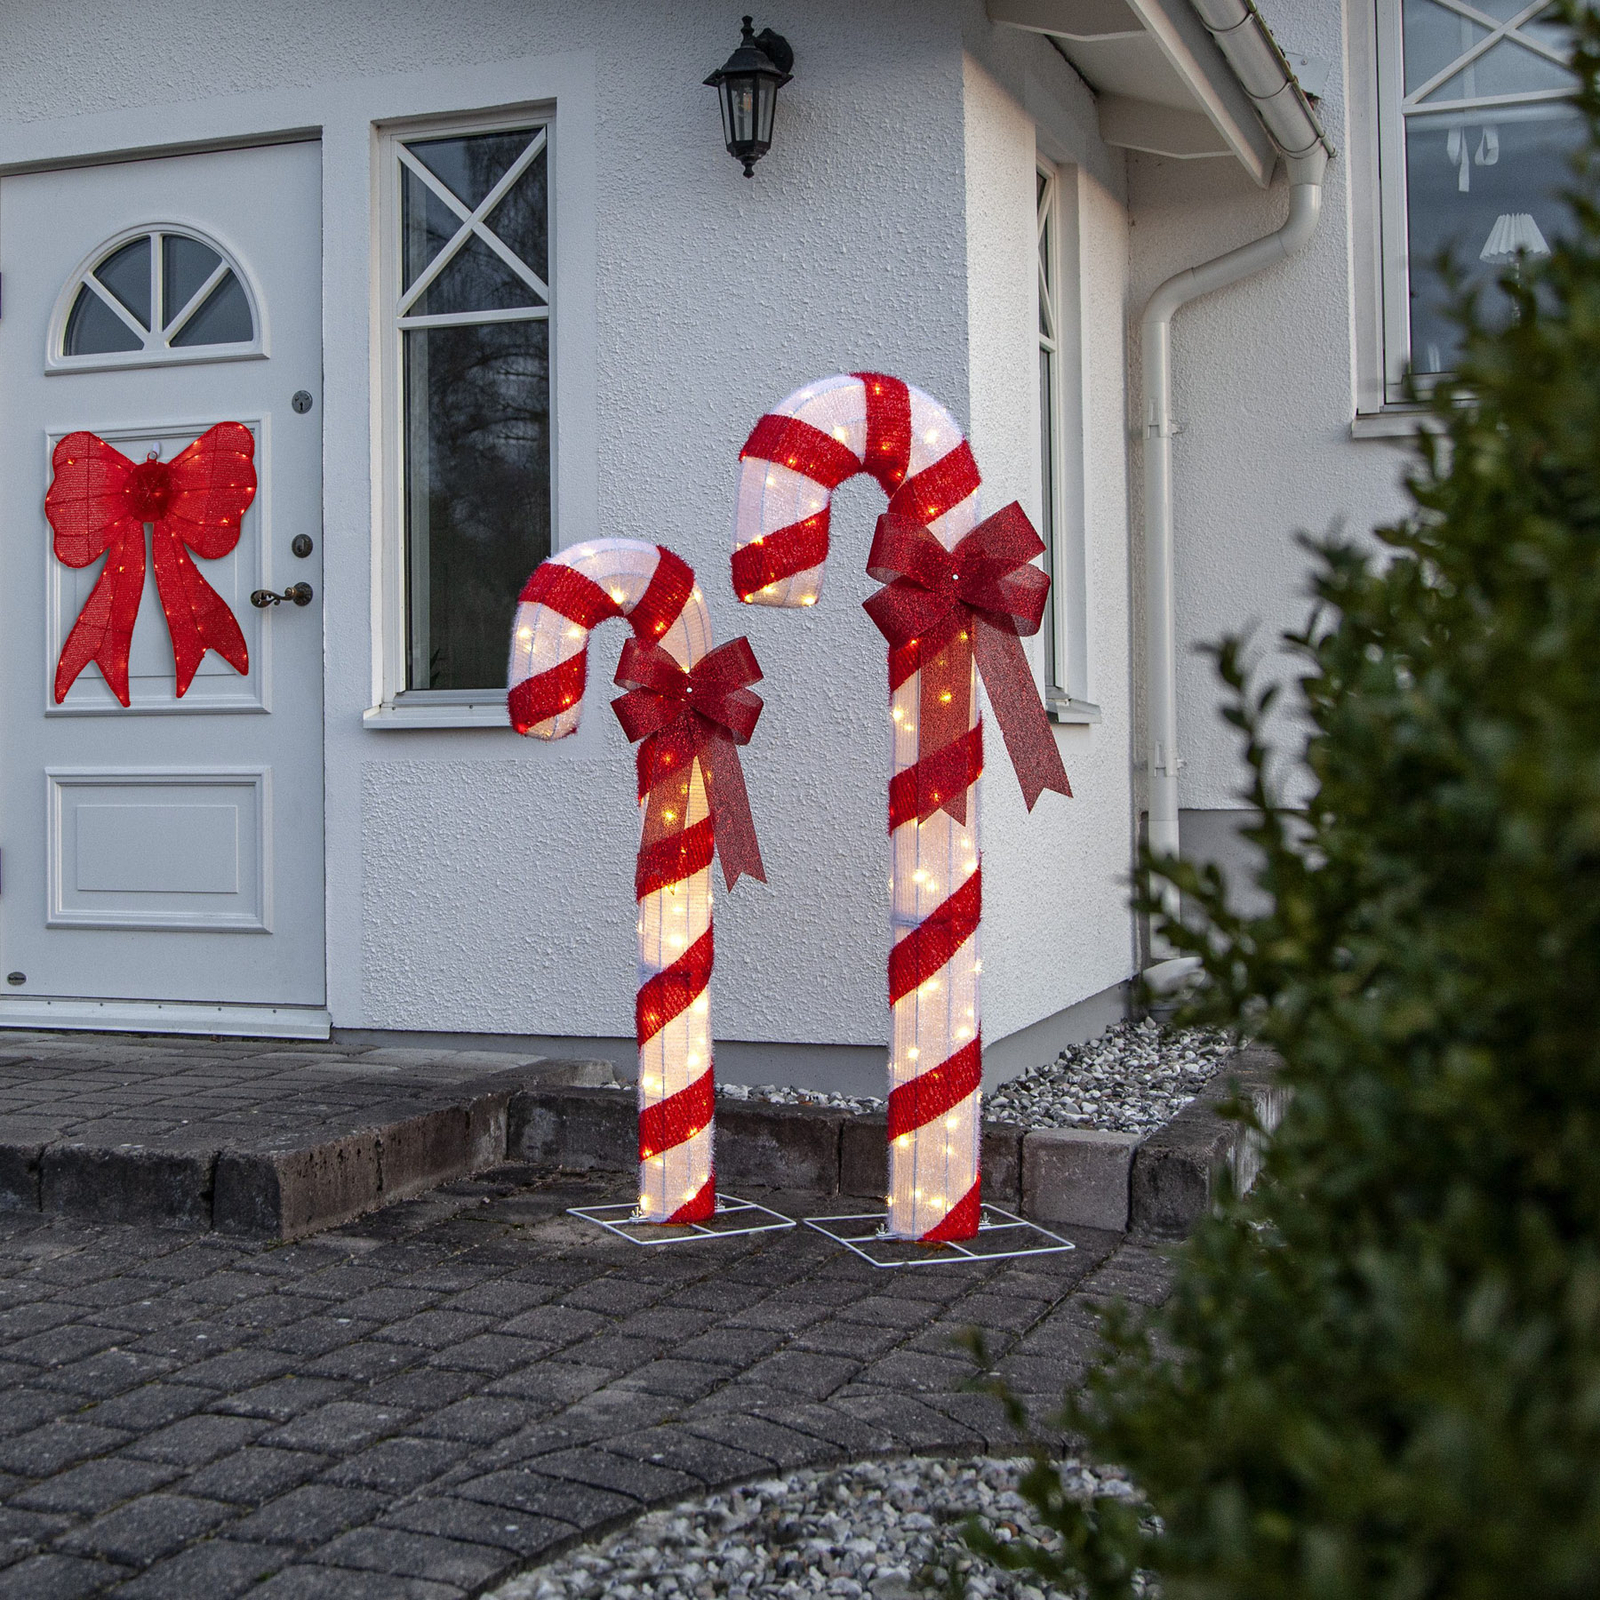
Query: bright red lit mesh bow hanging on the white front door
pixel 98 505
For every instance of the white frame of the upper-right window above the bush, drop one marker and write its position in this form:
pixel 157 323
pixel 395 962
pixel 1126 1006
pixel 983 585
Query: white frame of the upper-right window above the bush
pixel 1378 193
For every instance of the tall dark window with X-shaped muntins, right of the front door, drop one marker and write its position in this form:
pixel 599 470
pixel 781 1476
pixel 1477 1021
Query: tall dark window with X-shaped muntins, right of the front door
pixel 470 393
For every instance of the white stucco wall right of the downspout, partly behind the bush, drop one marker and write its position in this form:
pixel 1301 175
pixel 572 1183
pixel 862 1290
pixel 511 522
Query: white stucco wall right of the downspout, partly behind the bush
pixel 1265 393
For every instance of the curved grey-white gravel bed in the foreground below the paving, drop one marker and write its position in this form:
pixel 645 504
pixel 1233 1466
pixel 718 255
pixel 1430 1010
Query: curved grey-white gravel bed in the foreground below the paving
pixel 878 1530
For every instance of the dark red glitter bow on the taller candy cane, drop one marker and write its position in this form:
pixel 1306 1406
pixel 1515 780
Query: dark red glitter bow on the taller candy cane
pixel 943 609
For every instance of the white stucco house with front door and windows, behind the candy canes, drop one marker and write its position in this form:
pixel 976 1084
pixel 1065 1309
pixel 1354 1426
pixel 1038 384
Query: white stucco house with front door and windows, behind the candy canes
pixel 252 214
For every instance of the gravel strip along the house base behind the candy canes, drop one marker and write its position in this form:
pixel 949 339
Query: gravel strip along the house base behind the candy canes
pixel 1135 1078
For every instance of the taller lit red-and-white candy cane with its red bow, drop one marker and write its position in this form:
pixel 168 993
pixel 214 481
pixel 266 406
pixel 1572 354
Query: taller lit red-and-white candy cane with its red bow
pixel 958 594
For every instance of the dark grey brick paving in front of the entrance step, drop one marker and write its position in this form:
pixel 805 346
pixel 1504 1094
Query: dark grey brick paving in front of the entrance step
pixel 420 1404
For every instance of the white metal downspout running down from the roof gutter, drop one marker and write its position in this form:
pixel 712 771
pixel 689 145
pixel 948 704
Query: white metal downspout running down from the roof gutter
pixel 1266 76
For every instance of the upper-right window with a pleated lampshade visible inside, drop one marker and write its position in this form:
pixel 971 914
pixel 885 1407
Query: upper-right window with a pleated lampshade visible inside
pixel 1476 137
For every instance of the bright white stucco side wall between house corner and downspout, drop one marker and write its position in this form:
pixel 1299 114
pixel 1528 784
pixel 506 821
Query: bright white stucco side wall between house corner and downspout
pixel 1055 881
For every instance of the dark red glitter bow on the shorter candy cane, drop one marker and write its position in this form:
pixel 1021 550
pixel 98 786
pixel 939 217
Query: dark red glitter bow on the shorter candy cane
pixel 694 716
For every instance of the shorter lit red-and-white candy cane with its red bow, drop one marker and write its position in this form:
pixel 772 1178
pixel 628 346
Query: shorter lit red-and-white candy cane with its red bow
pixel 689 705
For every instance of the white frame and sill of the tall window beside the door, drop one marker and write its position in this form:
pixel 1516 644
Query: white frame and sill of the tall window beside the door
pixel 399 705
